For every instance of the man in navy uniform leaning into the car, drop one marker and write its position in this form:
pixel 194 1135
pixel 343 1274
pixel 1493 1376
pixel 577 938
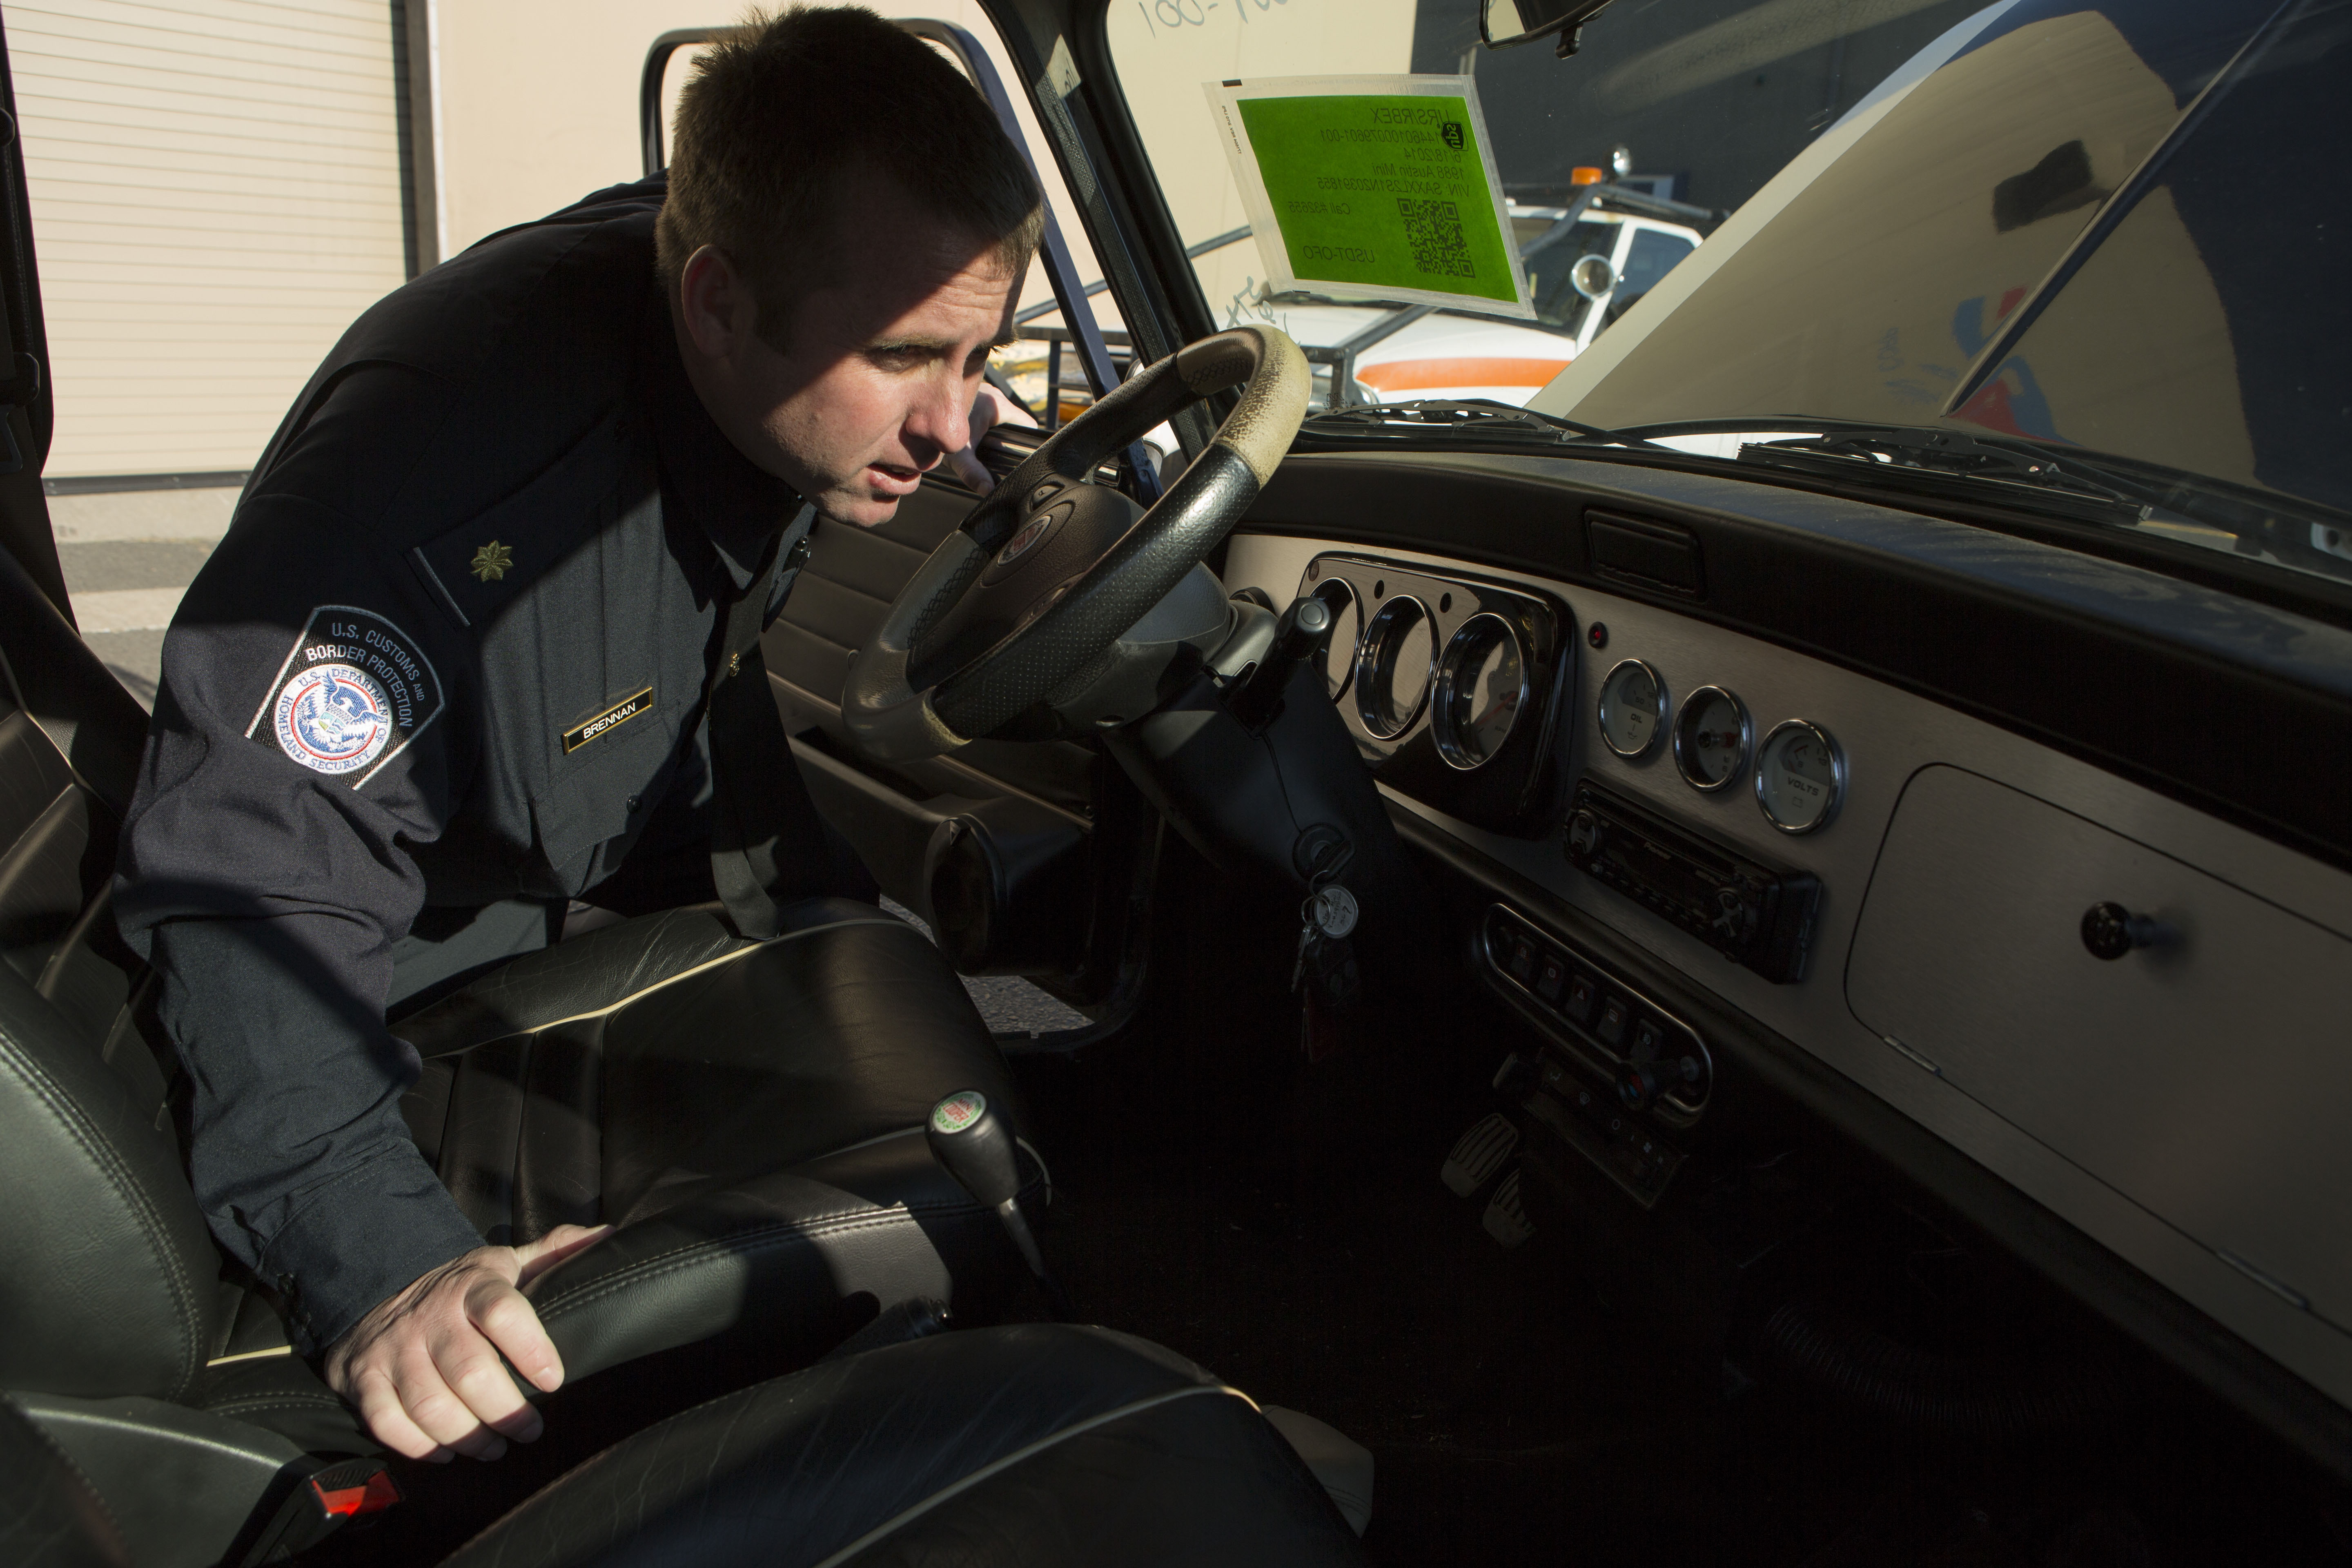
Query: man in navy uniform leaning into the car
pixel 483 638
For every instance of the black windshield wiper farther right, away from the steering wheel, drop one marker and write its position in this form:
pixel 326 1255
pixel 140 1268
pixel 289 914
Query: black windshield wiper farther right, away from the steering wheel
pixel 1960 467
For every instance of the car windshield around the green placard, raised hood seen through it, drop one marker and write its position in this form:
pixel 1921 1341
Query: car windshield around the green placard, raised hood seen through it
pixel 2057 222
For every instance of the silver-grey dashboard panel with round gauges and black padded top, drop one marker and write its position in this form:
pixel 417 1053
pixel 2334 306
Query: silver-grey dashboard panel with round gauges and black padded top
pixel 1709 850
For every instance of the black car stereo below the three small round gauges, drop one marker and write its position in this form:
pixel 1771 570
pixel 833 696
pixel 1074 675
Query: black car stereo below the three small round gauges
pixel 1753 913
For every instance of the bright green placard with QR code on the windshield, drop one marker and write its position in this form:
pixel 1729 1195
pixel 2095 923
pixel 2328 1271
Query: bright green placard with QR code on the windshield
pixel 1375 187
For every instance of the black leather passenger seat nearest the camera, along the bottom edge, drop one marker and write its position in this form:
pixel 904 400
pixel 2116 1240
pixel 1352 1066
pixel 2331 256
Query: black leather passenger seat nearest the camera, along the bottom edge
pixel 1041 1445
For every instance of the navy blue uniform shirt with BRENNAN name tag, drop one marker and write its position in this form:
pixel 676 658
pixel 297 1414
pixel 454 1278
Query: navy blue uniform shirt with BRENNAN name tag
pixel 450 652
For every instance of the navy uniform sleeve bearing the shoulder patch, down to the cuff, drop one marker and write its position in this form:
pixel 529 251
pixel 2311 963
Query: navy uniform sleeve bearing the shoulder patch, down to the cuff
pixel 307 735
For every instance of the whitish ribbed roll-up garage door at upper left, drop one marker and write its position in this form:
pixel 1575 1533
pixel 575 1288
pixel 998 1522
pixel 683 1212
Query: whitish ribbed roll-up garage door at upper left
pixel 215 194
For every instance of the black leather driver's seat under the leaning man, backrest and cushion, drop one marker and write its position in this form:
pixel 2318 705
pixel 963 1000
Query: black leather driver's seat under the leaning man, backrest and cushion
pixel 747 1111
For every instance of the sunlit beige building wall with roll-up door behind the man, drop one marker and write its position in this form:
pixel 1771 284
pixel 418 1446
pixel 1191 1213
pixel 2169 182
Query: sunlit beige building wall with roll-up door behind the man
pixel 218 185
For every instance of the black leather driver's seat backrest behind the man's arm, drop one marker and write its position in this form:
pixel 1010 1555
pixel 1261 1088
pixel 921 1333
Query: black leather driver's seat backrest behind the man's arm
pixel 107 1273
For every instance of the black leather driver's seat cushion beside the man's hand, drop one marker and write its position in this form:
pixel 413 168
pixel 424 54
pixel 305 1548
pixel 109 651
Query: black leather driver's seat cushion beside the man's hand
pixel 747 1113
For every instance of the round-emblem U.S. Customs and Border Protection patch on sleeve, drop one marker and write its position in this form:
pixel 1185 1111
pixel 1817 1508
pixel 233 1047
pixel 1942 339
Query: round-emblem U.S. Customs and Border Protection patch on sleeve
pixel 352 695
